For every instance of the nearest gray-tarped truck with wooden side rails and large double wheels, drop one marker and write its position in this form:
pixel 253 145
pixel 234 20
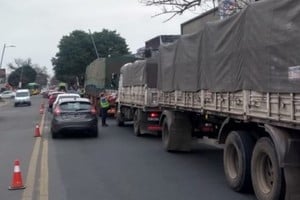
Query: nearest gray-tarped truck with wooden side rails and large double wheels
pixel 237 82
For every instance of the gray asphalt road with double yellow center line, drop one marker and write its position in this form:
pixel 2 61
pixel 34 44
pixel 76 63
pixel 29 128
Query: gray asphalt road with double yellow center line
pixel 115 166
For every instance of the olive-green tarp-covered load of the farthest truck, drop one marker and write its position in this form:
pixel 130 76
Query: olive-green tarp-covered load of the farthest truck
pixel 100 73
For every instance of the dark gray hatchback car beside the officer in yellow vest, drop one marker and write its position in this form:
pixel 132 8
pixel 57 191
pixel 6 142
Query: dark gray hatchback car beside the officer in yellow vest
pixel 74 115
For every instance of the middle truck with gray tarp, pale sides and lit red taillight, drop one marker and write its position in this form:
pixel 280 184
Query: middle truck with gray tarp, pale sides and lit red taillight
pixel 137 97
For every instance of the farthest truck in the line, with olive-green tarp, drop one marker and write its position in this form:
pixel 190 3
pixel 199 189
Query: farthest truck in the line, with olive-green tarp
pixel 102 76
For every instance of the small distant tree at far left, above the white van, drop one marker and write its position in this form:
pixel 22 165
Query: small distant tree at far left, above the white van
pixel 23 72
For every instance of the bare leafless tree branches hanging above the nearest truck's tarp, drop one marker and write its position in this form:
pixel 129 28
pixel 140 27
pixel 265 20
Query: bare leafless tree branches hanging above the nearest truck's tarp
pixel 178 7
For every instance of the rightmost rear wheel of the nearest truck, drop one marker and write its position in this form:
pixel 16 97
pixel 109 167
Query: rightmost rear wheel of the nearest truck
pixel 267 176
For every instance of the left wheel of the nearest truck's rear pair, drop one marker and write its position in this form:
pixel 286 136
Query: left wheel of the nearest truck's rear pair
pixel 237 160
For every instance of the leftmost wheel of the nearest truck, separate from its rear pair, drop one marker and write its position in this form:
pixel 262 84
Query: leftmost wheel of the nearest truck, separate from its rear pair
pixel 176 132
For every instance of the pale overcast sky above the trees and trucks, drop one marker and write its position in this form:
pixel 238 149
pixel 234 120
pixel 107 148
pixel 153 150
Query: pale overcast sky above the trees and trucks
pixel 35 27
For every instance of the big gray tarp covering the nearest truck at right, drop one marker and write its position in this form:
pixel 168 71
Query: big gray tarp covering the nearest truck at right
pixel 257 49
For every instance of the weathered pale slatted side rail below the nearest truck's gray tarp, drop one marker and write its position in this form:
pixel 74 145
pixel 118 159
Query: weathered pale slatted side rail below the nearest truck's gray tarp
pixel 282 108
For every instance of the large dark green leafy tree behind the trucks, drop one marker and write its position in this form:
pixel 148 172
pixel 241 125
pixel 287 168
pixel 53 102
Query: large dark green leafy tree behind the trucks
pixel 76 52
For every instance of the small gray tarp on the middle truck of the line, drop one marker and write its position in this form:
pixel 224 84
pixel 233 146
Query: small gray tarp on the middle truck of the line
pixel 141 72
